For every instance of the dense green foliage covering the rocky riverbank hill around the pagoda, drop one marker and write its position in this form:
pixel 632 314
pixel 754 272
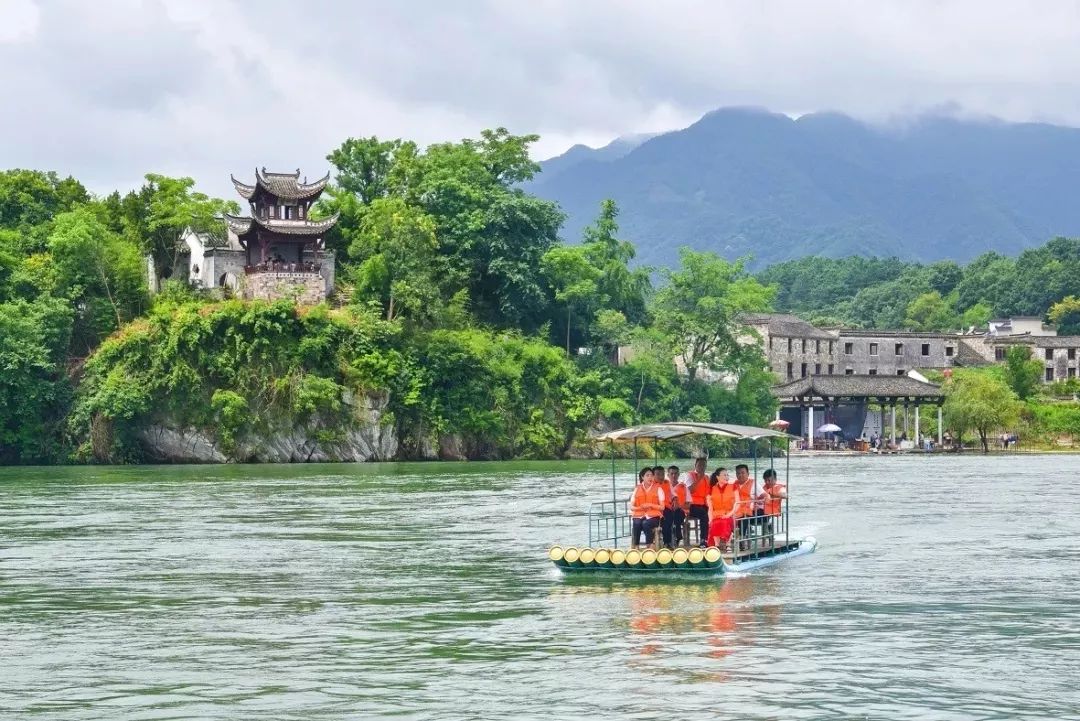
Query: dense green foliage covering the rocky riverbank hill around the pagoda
pixel 460 310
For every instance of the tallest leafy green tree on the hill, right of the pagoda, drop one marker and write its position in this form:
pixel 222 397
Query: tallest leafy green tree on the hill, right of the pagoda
pixel 492 235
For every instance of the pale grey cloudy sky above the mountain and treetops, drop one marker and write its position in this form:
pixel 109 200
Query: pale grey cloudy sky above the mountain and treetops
pixel 111 90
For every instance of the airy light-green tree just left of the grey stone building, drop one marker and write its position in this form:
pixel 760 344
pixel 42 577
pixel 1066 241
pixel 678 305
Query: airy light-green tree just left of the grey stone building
pixel 699 307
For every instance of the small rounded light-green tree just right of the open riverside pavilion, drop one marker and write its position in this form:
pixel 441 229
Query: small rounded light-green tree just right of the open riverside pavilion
pixel 980 402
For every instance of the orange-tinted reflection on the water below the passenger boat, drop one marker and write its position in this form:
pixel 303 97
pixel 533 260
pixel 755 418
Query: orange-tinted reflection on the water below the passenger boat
pixel 666 618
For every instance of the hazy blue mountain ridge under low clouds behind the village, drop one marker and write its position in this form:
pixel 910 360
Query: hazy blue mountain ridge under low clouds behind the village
pixel 747 182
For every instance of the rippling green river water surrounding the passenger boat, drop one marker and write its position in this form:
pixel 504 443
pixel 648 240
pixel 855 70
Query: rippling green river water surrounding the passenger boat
pixel 423 592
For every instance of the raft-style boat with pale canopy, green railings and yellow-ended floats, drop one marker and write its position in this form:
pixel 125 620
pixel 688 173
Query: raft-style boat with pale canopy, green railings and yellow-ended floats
pixel 610 522
